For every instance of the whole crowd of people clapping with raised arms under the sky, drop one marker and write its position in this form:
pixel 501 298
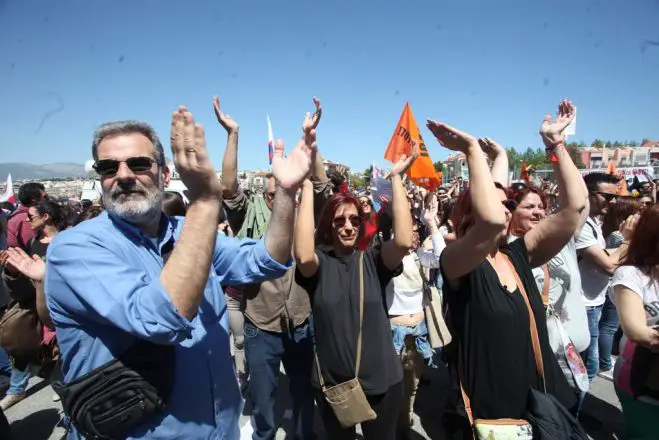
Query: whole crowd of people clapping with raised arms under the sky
pixel 515 296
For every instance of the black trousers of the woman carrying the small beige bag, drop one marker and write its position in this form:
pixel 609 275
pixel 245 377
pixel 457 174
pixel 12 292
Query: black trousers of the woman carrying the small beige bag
pixel 386 406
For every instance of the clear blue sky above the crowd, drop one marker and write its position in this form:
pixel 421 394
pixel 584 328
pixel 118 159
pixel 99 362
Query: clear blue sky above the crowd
pixel 493 68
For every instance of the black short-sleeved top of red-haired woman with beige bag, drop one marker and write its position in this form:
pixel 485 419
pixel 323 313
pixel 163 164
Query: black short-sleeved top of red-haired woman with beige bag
pixel 334 294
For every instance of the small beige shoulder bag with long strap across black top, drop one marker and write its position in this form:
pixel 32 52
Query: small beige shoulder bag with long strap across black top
pixel 347 399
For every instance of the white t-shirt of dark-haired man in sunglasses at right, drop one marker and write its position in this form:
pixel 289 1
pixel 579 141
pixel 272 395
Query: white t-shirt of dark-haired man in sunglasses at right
pixel 594 281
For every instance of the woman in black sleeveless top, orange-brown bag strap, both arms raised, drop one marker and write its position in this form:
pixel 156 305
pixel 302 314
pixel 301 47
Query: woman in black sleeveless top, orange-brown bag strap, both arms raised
pixel 488 311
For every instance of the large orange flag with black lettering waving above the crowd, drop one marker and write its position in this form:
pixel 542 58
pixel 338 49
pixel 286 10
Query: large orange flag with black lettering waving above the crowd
pixel 422 172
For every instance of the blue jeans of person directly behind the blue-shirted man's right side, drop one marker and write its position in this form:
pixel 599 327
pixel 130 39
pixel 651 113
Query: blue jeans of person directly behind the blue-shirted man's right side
pixel 265 351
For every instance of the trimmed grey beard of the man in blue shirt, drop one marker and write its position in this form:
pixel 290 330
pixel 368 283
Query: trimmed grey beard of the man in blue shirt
pixel 134 202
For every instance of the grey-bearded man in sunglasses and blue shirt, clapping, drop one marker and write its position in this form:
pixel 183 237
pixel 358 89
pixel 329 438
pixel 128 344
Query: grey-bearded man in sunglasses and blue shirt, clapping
pixel 133 275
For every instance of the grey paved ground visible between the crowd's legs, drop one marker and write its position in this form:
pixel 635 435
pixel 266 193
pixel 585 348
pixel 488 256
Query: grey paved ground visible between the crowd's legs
pixel 37 417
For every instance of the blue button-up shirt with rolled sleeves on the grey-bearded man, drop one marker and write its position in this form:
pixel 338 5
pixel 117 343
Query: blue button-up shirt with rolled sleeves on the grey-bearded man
pixel 103 291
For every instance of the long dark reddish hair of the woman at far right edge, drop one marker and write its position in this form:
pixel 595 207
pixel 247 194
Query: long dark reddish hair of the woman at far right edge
pixel 643 251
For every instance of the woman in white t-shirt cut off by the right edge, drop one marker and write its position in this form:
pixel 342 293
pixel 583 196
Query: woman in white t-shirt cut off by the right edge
pixel 636 296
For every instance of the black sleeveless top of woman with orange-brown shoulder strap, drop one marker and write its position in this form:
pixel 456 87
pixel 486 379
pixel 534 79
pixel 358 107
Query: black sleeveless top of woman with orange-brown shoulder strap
pixel 492 327
